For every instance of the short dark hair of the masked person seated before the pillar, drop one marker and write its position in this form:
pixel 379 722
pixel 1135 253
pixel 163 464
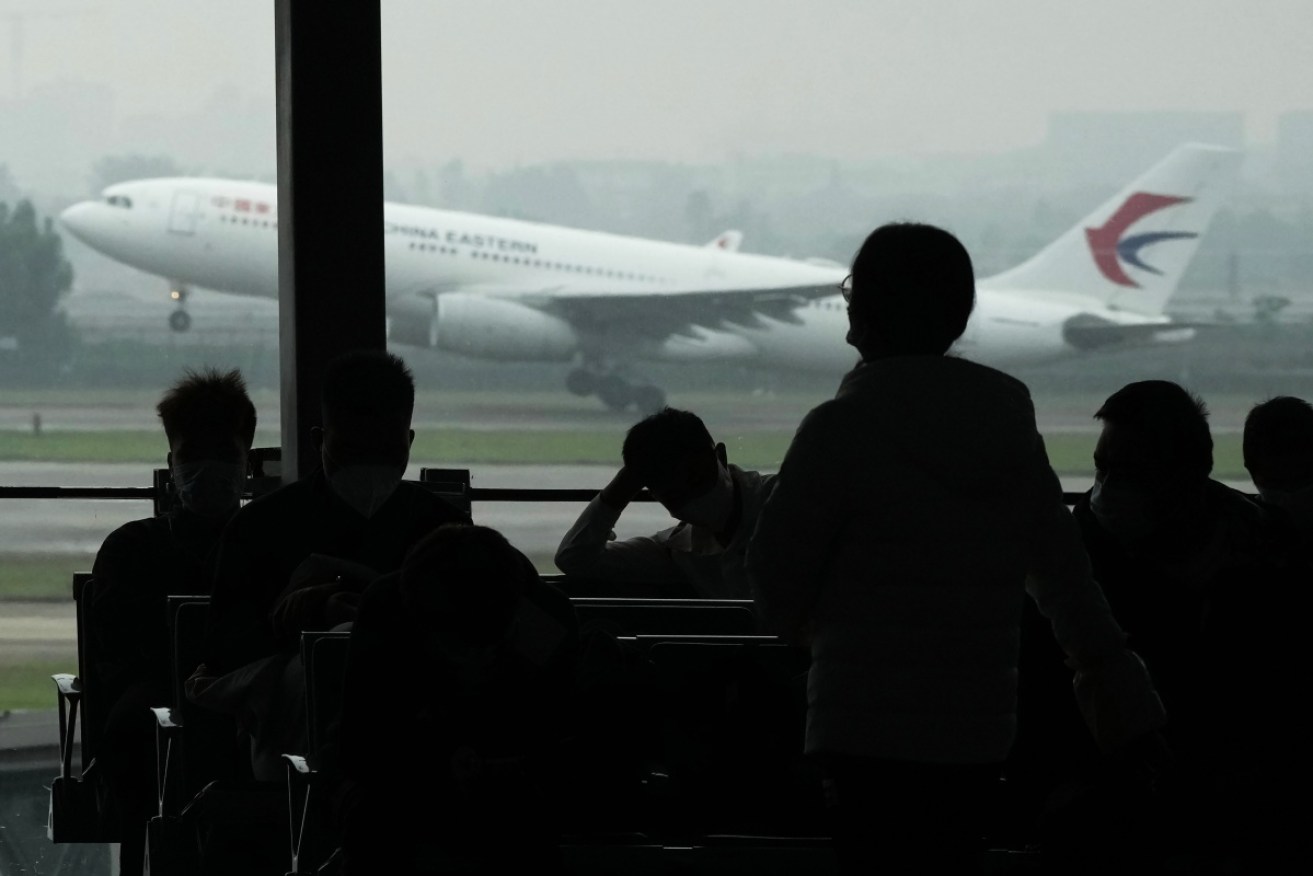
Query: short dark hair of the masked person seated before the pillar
pixel 368 384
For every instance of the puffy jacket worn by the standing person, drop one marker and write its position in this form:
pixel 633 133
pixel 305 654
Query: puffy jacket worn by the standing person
pixel 909 519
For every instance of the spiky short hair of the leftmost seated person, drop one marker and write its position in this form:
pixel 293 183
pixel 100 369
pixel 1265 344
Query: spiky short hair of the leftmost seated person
pixel 208 403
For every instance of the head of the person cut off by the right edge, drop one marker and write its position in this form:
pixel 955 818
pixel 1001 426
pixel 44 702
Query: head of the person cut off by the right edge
pixel 1280 446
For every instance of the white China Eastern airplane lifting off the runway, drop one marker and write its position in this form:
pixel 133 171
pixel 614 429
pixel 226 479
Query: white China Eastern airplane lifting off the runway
pixel 513 291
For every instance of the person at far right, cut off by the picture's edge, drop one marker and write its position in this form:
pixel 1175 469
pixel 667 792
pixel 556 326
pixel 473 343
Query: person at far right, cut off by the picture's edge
pixel 1280 456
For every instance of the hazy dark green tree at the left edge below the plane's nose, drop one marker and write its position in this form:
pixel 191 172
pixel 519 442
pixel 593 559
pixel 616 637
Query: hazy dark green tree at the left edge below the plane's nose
pixel 33 278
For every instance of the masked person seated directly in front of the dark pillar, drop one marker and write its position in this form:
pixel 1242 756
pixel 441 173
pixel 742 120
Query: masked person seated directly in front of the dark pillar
pixel 300 558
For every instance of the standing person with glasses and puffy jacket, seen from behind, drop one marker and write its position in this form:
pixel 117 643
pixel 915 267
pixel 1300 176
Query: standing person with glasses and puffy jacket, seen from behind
pixel 911 518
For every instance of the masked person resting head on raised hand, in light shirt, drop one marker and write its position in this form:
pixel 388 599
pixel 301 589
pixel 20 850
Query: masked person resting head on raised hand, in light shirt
pixel 716 504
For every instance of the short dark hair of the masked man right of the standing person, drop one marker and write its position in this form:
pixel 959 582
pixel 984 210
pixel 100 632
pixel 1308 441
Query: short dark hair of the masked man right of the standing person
pixel 1174 420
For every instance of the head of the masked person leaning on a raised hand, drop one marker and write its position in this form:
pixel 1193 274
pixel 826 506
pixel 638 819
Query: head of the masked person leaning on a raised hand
pixel 682 467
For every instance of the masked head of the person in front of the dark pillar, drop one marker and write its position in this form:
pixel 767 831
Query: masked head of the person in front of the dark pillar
pixel 364 443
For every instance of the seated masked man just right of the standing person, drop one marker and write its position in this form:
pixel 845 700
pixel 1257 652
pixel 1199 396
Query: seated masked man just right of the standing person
pixel 1192 569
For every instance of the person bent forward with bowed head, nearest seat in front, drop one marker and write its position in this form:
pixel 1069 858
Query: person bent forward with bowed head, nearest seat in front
pixel 464 659
